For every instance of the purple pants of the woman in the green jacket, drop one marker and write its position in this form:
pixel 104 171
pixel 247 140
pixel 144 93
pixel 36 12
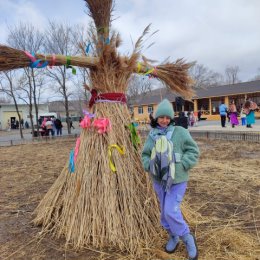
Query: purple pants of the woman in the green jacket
pixel 170 201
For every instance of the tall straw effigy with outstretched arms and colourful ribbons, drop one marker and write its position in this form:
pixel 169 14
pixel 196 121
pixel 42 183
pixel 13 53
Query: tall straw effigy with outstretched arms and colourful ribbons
pixel 106 200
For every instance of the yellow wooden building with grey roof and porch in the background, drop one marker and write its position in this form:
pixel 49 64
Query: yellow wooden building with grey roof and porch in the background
pixel 206 100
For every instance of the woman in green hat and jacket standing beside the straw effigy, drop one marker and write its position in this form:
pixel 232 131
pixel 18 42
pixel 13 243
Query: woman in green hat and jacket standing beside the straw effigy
pixel 168 154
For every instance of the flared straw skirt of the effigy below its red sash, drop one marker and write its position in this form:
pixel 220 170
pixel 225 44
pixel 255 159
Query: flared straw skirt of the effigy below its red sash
pixel 96 207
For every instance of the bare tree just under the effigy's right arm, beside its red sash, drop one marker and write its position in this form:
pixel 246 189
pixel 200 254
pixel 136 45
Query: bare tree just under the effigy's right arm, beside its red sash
pixel 138 85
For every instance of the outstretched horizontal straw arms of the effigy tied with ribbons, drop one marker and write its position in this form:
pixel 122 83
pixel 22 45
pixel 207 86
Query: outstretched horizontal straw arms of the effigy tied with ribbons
pixel 174 75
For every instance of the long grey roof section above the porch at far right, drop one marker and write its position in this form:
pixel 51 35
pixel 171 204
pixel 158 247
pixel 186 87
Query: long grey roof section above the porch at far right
pixel 227 90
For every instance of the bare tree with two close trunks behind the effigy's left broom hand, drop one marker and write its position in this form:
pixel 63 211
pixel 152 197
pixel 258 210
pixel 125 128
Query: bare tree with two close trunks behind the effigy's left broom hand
pixel 28 38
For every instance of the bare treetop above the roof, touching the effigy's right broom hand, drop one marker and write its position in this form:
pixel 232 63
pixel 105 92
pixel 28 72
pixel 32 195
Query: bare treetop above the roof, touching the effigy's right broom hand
pixel 204 77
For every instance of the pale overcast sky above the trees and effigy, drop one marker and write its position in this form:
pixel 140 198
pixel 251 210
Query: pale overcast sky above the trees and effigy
pixel 215 33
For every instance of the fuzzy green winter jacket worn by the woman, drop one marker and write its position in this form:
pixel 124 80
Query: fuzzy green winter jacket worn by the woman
pixel 185 149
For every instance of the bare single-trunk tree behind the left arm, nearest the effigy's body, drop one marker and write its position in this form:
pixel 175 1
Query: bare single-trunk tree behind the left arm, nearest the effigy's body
pixel 60 39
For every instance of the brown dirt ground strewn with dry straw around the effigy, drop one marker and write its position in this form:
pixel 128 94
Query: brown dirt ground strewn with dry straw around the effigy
pixel 222 203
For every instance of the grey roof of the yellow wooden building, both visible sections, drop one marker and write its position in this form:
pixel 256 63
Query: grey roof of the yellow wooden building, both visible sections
pixel 156 96
